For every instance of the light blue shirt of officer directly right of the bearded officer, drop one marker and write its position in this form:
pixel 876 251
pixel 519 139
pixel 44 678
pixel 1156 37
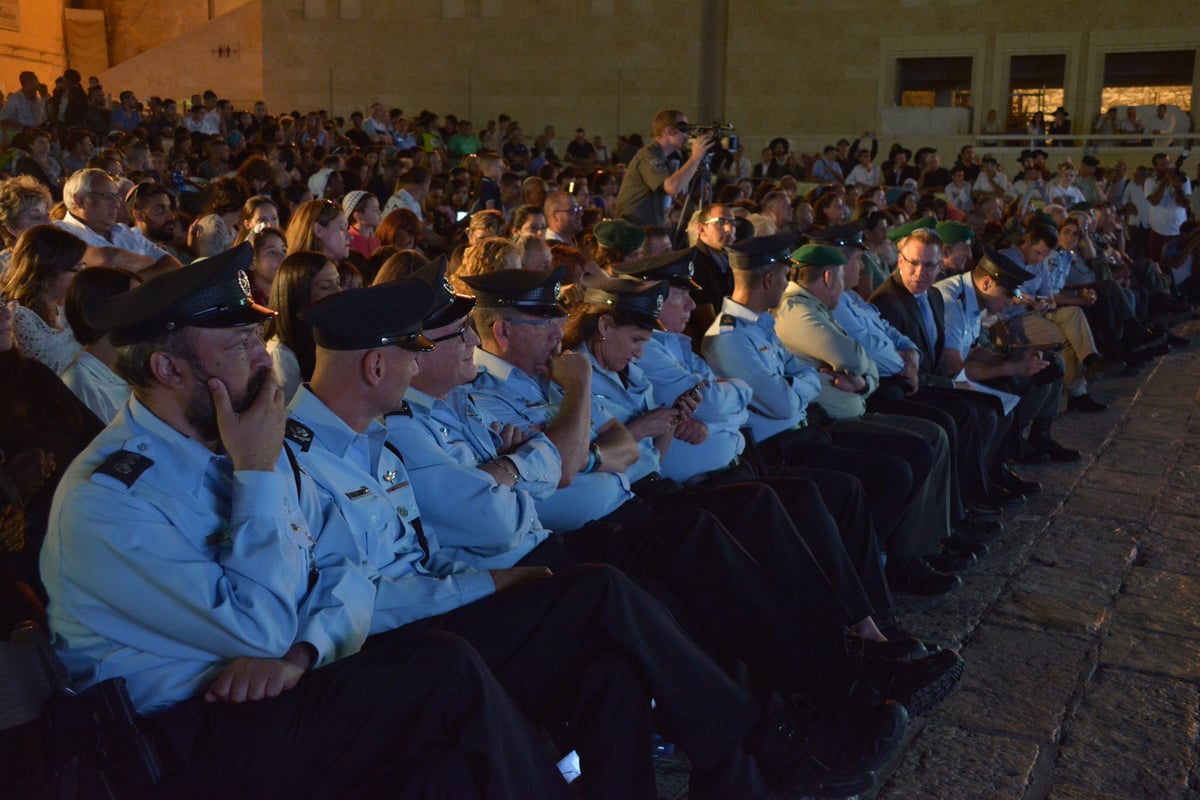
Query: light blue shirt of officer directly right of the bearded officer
pixel 370 489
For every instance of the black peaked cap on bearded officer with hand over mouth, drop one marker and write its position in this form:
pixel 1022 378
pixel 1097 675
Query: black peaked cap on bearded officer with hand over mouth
pixel 211 293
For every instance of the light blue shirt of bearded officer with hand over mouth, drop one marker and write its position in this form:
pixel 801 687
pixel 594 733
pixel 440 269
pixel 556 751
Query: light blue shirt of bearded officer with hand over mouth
pixel 164 564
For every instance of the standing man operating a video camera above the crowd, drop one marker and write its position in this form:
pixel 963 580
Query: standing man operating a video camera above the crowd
pixel 650 183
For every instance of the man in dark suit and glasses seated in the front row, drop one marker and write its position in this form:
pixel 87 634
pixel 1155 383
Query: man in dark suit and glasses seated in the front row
pixel 903 300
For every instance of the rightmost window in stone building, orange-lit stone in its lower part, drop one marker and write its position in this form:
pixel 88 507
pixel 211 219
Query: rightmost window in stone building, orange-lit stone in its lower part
pixel 1149 79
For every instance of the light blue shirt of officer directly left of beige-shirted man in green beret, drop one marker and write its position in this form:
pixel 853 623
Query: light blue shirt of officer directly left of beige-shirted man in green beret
pixel 743 345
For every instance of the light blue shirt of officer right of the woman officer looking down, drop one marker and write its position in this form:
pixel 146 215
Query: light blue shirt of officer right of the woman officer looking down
pixel 674 369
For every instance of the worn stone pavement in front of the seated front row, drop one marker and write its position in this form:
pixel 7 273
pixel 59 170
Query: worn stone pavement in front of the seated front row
pixel 1082 630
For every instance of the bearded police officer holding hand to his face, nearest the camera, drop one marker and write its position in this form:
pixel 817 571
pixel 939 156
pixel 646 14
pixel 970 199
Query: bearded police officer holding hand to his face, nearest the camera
pixel 182 560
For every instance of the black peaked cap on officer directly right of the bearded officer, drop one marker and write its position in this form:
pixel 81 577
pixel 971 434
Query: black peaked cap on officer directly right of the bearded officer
pixel 373 317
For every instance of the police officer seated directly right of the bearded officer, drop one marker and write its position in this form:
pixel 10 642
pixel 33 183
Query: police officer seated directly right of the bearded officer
pixel 583 648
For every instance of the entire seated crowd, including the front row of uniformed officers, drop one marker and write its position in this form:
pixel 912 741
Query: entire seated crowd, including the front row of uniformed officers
pixel 517 454
